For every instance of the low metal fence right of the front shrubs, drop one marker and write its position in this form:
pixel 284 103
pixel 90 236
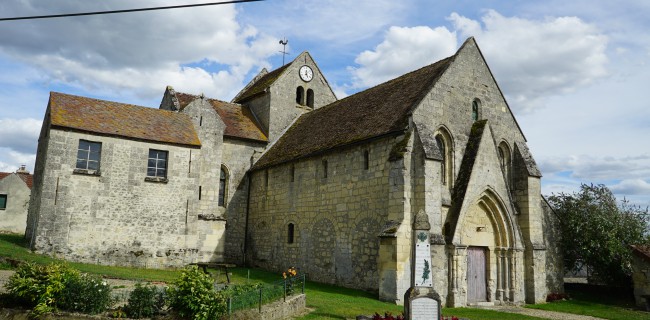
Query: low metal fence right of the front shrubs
pixel 267 293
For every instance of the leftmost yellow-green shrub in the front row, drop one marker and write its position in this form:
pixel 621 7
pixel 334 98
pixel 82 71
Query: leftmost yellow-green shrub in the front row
pixel 39 286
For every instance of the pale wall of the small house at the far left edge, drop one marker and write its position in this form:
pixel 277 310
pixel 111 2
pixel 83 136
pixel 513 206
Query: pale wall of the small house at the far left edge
pixel 14 217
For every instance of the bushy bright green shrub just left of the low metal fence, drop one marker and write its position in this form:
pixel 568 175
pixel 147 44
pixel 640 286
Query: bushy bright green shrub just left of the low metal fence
pixel 192 296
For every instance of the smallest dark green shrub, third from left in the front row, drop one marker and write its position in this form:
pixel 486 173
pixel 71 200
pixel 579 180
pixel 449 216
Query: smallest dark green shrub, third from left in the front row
pixel 145 301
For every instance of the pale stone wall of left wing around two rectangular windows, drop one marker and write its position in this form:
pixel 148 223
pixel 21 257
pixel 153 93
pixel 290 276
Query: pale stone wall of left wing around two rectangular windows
pixel 117 218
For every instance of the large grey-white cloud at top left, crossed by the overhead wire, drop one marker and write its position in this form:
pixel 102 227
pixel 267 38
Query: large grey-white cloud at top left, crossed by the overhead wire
pixel 137 52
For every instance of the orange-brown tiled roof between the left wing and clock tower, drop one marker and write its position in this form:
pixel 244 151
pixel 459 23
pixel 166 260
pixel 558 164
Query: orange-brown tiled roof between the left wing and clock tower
pixel 239 120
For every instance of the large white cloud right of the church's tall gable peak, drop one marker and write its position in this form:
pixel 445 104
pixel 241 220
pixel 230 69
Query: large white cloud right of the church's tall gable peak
pixel 533 59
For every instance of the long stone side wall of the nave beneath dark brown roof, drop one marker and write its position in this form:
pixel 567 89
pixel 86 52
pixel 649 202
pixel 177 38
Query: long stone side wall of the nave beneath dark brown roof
pixel 337 219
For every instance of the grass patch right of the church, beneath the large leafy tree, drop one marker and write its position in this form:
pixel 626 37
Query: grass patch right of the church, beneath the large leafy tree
pixel 597 302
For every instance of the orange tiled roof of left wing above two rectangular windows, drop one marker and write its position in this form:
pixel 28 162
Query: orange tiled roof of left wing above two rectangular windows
pixel 124 120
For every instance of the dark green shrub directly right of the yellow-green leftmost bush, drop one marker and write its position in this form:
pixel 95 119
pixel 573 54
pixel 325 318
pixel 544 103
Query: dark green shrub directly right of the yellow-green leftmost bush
pixel 85 293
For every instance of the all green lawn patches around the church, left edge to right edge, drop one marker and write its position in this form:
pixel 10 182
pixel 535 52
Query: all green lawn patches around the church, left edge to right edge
pixel 331 302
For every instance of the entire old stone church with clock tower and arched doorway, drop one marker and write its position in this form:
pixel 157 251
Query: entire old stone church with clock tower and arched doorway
pixel 288 175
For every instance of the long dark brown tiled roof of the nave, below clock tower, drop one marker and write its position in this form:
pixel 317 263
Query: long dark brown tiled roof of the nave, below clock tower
pixel 374 112
